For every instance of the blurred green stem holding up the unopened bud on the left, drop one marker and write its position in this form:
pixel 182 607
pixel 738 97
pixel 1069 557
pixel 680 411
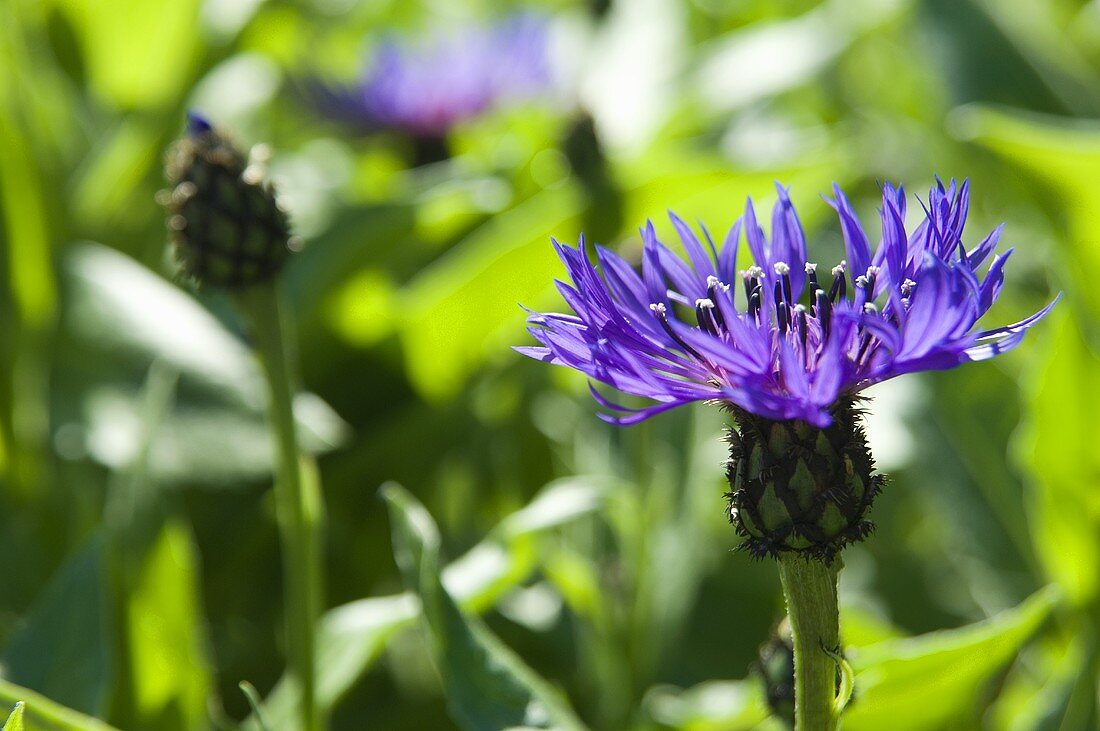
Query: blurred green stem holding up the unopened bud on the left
pixel 298 502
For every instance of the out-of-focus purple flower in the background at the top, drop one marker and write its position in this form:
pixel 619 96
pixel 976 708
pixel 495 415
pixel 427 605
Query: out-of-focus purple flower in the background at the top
pixel 426 90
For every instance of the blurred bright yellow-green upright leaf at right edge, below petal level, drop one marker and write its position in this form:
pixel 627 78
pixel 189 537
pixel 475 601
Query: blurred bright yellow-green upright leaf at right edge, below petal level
pixel 1060 452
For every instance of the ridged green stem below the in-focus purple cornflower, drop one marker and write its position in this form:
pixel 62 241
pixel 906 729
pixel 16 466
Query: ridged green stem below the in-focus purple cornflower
pixel 810 589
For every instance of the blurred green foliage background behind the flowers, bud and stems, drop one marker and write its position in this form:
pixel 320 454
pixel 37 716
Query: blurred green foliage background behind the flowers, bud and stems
pixel 140 579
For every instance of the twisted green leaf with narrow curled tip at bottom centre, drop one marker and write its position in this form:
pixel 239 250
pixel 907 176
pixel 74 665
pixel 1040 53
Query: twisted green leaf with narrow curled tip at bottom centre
pixel 489 689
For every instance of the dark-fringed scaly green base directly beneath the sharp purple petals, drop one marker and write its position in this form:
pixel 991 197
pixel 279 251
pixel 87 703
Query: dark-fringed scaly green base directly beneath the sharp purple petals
pixel 799 489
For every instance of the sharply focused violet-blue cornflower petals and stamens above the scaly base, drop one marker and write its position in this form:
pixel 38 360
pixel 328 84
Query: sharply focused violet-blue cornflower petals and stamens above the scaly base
pixel 800 339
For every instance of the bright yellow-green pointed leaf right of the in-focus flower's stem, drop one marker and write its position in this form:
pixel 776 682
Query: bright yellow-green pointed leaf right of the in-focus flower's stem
pixel 922 683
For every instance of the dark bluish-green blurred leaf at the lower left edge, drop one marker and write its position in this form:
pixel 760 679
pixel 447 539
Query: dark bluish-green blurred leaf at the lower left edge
pixel 61 651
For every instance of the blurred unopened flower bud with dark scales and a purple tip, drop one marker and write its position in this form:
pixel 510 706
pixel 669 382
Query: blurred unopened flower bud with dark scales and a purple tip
pixel 226 225
